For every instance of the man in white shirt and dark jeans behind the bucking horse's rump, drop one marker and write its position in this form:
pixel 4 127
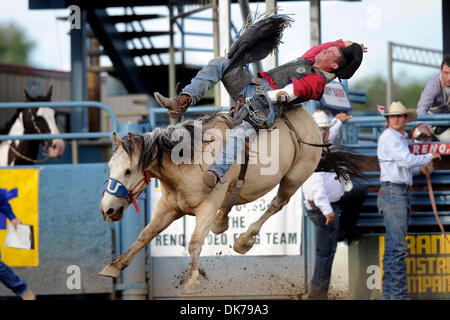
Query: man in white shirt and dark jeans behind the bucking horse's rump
pixel 322 193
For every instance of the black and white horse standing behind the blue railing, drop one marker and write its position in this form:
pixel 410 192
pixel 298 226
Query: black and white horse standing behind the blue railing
pixel 29 121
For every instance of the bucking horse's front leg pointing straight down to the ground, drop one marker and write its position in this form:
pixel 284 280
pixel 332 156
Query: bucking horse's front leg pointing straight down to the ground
pixel 203 224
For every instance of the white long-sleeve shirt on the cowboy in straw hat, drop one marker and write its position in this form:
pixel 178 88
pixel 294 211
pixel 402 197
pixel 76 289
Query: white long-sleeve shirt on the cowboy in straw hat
pixel 397 163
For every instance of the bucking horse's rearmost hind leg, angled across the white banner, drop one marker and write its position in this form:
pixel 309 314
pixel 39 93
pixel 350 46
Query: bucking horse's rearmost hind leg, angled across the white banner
pixel 246 240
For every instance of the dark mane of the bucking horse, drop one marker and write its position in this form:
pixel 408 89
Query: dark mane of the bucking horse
pixel 154 144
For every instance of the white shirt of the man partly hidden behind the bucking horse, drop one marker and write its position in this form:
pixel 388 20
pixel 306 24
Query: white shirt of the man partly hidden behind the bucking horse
pixel 322 187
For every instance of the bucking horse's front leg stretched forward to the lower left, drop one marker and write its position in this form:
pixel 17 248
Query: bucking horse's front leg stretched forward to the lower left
pixel 163 217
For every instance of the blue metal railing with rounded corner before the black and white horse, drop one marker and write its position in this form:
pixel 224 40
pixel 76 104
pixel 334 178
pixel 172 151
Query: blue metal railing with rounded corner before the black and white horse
pixel 73 136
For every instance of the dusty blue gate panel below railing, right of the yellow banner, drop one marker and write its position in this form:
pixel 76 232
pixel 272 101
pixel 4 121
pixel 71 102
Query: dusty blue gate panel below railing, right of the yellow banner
pixel 72 233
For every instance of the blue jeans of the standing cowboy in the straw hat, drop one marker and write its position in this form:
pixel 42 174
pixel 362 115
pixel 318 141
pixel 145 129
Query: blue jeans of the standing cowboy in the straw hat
pixel 394 204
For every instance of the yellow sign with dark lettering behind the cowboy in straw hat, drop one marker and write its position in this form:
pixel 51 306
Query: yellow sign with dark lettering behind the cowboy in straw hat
pixel 427 265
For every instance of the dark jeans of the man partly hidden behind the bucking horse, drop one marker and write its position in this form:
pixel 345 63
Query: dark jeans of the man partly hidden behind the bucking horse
pixel 326 243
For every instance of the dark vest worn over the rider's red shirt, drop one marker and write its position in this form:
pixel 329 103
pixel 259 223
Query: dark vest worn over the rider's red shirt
pixel 297 69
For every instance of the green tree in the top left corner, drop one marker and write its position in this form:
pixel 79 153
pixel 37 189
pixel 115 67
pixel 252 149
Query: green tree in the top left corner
pixel 15 48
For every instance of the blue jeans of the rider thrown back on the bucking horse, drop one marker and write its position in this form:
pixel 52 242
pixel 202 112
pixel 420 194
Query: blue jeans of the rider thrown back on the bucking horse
pixel 238 82
